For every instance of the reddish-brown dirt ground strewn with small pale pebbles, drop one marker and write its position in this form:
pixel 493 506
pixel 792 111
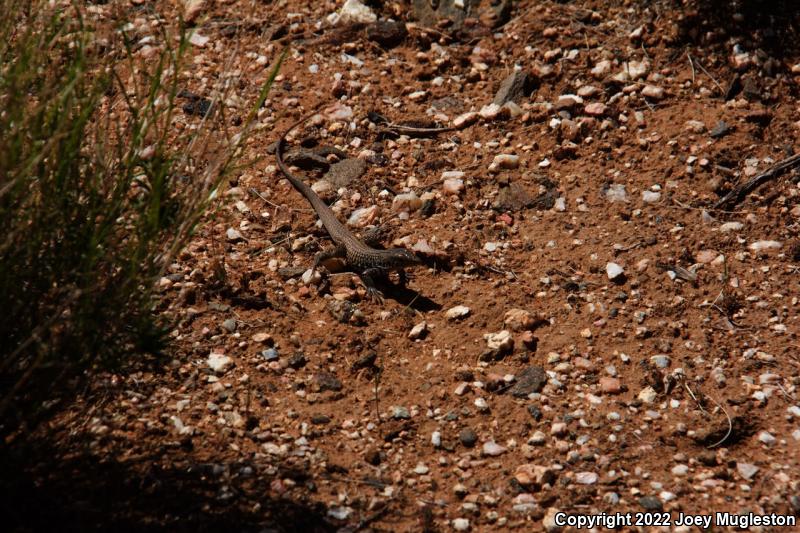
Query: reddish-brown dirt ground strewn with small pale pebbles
pixel 338 430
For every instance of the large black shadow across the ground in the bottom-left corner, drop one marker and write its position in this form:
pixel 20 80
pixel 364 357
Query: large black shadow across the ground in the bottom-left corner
pixel 43 490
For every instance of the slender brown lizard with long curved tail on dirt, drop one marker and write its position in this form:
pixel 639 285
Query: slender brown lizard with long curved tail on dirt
pixel 366 261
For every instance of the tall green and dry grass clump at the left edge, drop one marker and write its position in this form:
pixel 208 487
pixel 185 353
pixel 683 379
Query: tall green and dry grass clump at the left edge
pixel 97 194
